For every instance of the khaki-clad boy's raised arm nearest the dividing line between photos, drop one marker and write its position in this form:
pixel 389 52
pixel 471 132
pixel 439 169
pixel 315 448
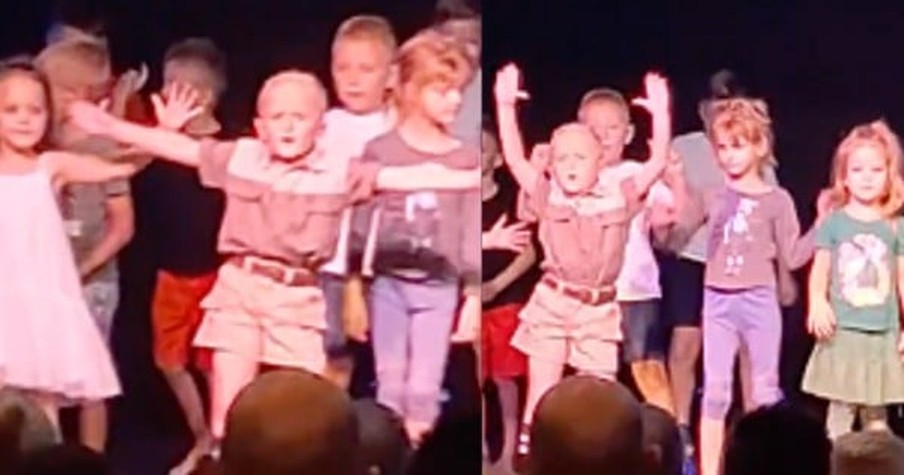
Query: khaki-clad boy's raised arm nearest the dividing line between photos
pixel 507 94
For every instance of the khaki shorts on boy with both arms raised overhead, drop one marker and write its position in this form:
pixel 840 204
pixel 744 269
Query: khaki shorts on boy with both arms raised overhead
pixel 563 330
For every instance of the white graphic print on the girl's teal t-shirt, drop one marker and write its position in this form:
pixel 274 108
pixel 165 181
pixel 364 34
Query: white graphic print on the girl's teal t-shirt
pixel 863 271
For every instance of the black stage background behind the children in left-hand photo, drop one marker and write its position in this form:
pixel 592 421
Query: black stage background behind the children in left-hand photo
pixel 259 38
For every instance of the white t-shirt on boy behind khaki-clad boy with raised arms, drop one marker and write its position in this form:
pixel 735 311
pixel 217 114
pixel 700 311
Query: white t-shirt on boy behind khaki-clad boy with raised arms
pixel 639 276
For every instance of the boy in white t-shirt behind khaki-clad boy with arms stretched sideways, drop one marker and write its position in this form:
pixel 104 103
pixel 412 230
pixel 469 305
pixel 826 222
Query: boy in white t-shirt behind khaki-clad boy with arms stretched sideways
pixel 363 54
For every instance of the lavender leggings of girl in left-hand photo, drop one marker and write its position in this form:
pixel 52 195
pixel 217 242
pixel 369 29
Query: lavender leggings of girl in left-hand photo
pixel 411 323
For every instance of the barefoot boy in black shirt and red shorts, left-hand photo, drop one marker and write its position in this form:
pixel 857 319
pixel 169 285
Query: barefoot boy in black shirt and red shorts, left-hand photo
pixel 184 219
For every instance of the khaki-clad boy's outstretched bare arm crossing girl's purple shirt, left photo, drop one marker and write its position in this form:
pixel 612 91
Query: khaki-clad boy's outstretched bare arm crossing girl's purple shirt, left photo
pixel 427 176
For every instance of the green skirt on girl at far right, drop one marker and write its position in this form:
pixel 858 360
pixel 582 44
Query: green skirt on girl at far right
pixel 857 367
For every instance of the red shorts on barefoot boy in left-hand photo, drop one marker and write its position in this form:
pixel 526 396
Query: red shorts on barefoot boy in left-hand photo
pixel 176 314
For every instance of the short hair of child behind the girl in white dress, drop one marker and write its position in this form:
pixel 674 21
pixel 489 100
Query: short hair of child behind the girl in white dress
pixel 79 61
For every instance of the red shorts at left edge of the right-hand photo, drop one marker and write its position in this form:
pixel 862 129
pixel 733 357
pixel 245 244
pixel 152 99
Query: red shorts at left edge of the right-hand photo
pixel 499 358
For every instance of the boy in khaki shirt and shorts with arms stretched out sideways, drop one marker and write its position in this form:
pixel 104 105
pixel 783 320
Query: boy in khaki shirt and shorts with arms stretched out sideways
pixel 284 207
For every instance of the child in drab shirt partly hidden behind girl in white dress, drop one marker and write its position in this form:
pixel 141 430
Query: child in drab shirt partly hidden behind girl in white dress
pixel 100 216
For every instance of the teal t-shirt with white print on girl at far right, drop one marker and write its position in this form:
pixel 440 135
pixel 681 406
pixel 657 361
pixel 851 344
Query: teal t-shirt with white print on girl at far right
pixel 863 281
